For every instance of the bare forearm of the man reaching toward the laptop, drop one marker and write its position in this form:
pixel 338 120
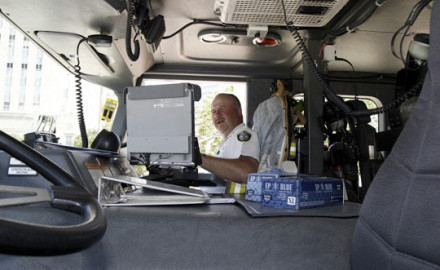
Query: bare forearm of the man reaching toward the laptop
pixel 236 170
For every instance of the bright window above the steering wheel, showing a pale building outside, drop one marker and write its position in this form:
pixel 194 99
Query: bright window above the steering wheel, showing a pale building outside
pixel 34 87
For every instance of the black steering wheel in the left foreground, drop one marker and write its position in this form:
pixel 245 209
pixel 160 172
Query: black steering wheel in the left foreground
pixel 17 237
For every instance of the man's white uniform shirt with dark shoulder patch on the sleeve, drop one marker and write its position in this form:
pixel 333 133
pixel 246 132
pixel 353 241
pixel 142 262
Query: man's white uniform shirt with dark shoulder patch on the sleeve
pixel 242 141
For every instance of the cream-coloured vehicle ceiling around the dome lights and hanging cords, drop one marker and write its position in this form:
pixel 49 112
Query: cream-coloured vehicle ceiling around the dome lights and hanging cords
pixel 58 25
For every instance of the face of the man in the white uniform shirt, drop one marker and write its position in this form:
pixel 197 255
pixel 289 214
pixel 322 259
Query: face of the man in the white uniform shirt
pixel 226 115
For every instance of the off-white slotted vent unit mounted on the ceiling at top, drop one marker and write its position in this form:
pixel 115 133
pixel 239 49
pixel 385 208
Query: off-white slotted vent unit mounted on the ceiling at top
pixel 304 13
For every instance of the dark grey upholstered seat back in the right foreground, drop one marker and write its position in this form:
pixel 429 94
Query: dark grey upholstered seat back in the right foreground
pixel 399 223
